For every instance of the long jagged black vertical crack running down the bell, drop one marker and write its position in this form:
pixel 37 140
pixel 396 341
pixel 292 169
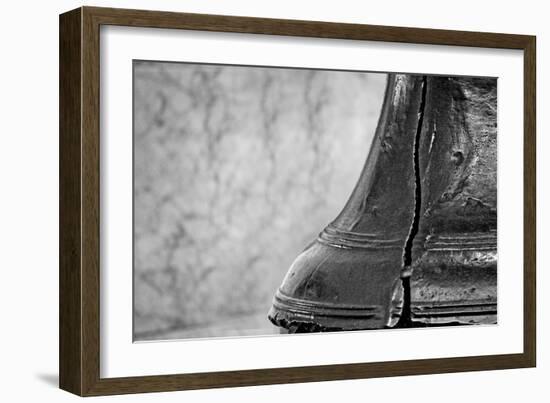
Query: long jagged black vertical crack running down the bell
pixel 405 319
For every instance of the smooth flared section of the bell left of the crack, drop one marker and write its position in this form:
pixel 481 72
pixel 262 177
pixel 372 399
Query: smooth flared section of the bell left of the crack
pixel 349 277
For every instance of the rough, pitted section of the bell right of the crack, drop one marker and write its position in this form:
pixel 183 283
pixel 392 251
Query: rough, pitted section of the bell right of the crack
pixel 454 270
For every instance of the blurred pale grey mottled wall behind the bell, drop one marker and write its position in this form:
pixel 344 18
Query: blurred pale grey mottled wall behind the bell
pixel 236 170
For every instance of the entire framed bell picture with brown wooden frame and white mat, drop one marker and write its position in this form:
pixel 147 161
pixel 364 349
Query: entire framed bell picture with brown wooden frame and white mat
pixel 249 201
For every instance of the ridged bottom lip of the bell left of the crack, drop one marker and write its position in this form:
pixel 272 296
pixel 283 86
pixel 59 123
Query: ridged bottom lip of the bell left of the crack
pixel 287 310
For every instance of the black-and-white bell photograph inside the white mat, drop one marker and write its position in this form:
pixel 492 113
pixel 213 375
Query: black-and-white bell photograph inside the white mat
pixel 275 200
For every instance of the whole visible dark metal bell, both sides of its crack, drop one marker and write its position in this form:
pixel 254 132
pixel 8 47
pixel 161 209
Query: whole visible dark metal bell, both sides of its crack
pixel 416 242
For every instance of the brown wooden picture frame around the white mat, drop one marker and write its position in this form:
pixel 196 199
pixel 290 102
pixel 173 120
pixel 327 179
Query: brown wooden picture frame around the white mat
pixel 79 347
